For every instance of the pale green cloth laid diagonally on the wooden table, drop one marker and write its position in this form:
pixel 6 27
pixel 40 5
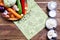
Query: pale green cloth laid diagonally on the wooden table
pixel 33 22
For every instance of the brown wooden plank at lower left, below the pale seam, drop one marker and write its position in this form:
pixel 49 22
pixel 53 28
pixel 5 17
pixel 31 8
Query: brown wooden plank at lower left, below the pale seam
pixel 10 32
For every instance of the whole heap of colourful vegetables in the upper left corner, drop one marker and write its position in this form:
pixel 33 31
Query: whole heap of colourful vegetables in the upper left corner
pixel 13 9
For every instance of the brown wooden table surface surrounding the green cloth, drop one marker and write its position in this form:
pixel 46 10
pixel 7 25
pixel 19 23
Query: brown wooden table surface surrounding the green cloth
pixel 9 31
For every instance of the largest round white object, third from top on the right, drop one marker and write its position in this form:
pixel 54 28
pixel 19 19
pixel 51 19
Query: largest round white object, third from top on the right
pixel 51 23
